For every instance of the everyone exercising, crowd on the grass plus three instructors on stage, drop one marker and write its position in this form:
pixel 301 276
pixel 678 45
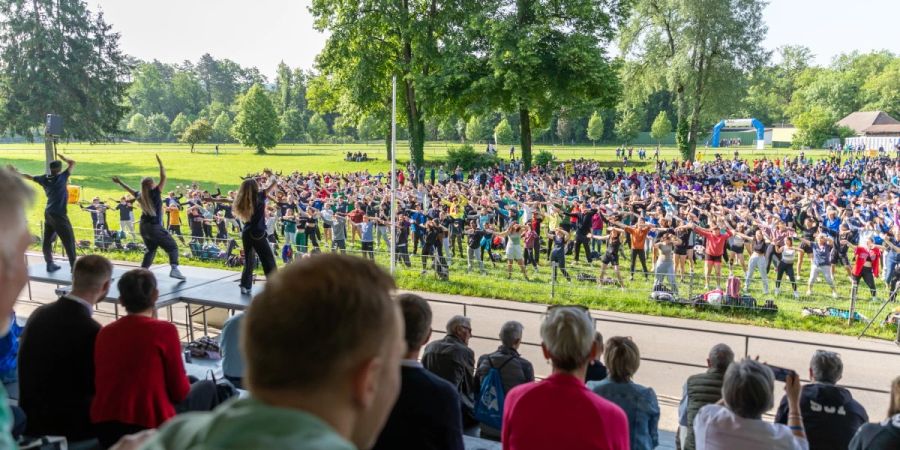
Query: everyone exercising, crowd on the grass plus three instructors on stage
pixel 803 219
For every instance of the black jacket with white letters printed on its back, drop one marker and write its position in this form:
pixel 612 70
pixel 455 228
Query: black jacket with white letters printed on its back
pixel 830 415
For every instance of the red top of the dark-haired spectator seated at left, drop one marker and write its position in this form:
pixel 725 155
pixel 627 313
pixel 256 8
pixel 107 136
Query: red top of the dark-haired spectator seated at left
pixel 139 373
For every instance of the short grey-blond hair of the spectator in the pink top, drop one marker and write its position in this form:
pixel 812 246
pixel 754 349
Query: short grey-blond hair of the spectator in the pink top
pixel 568 335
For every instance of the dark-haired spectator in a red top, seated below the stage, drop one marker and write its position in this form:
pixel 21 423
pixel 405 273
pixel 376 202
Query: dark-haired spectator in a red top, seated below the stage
pixel 139 374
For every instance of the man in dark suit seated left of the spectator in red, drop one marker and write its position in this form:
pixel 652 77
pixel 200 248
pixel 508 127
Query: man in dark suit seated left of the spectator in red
pixel 56 356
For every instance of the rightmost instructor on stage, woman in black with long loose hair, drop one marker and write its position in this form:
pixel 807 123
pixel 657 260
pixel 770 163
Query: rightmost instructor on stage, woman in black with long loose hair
pixel 250 207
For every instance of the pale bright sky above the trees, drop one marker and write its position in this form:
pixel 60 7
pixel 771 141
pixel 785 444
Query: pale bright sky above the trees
pixel 262 33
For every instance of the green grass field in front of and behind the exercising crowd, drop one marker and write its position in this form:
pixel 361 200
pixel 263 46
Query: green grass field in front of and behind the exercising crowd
pixel 98 163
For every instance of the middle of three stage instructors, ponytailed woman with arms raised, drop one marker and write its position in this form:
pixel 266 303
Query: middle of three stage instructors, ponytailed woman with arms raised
pixel 152 231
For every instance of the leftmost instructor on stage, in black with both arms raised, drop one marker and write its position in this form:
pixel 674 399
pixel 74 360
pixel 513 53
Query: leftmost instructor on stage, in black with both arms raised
pixel 56 219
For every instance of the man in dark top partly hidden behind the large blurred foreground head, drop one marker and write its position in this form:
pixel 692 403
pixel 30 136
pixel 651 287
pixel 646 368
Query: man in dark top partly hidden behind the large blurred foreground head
pixel 426 415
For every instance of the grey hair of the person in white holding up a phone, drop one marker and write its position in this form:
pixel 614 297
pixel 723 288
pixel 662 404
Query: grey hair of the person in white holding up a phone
pixel 748 388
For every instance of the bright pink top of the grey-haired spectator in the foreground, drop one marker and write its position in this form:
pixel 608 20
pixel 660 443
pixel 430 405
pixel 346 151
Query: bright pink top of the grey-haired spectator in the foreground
pixel 560 412
